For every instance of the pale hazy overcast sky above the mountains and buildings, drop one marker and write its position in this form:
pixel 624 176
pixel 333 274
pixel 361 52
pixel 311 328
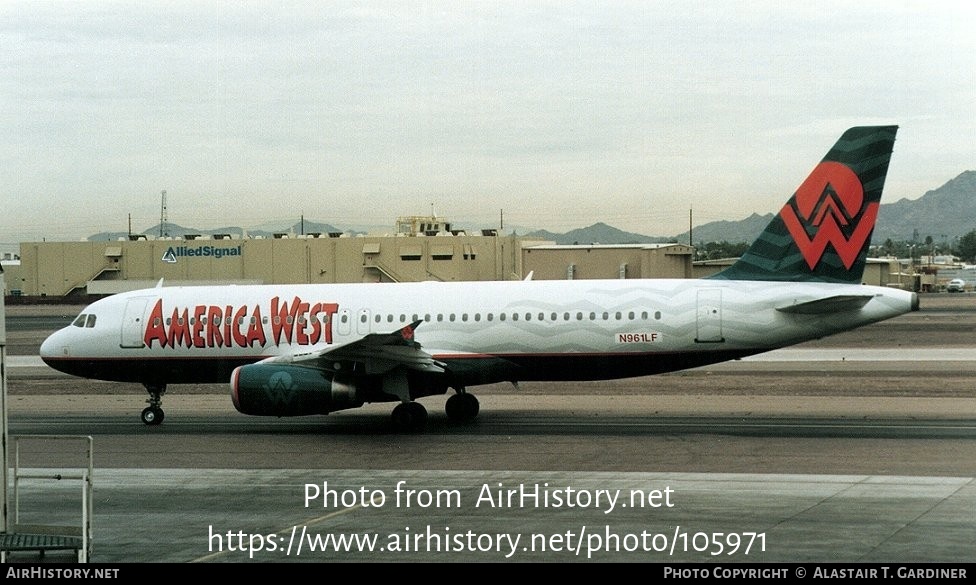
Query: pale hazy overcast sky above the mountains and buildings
pixel 560 113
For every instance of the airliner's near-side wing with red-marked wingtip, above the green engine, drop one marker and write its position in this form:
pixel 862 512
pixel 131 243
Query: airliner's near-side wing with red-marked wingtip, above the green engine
pixel 375 353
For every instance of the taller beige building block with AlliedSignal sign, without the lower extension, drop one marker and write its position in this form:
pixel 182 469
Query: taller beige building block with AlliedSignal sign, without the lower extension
pixel 72 268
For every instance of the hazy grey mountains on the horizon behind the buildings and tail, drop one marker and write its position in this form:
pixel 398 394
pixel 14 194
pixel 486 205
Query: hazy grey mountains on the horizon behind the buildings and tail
pixel 945 213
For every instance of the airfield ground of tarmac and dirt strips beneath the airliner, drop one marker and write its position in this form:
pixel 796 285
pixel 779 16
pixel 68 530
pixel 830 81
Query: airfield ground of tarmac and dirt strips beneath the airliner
pixel 854 448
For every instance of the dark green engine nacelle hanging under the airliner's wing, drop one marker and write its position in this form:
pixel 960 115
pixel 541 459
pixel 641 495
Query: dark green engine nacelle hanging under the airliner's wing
pixel 288 390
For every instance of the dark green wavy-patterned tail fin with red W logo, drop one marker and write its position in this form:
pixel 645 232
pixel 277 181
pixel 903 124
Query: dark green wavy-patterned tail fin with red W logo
pixel 824 230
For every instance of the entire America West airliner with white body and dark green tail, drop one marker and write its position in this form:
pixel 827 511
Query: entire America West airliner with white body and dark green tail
pixel 294 350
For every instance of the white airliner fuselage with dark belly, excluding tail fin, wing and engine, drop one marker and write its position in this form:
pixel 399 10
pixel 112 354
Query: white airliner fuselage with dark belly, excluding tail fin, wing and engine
pixel 528 329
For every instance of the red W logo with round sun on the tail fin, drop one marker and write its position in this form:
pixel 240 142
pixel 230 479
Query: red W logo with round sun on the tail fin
pixel 831 197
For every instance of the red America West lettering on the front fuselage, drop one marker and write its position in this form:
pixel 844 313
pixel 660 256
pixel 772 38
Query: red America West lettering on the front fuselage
pixel 297 322
